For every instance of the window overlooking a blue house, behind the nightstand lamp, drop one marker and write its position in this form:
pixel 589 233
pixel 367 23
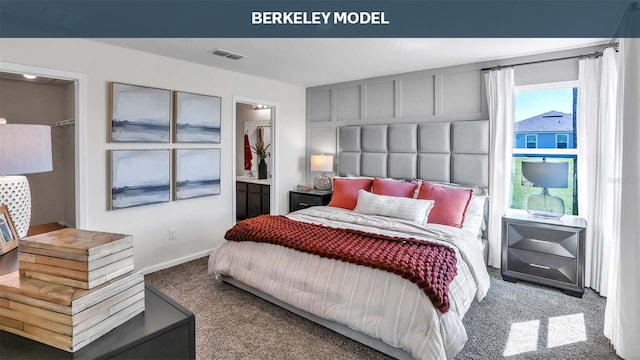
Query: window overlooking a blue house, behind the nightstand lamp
pixel 545 127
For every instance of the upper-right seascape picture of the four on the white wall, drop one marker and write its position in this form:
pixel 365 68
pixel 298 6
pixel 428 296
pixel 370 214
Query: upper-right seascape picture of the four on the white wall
pixel 196 118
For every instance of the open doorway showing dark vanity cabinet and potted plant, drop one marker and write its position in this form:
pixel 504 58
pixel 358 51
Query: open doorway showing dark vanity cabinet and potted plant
pixel 254 175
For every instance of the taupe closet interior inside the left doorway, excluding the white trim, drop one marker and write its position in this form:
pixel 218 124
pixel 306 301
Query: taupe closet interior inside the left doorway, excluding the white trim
pixel 46 101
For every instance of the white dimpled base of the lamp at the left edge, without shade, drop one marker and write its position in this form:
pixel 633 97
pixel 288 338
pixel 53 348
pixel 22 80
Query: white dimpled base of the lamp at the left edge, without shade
pixel 16 195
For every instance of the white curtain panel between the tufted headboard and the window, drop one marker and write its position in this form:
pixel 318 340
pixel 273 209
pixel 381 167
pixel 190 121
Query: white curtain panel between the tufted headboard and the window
pixel 501 101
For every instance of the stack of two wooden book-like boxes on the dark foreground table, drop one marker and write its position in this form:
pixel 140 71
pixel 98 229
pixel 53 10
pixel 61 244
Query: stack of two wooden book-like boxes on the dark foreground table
pixel 72 287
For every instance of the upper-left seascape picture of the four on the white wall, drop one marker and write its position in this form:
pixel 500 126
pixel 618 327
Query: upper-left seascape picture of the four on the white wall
pixel 139 114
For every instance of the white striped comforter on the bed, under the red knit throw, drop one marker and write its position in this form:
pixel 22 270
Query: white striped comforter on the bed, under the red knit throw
pixel 377 303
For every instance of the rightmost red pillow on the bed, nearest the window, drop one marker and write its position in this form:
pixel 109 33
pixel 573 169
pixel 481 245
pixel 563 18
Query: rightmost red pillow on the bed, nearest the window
pixel 450 204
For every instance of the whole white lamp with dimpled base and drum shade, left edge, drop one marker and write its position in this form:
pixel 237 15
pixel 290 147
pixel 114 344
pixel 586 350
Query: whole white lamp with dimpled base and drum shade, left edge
pixel 24 149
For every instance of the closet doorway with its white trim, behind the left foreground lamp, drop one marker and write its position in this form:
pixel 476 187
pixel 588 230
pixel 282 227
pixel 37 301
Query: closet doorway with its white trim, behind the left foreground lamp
pixel 56 98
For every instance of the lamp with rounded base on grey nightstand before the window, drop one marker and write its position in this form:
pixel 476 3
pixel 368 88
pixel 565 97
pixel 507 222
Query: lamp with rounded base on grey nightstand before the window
pixel 545 175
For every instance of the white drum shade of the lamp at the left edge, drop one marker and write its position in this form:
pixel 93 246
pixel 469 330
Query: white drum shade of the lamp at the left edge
pixel 25 149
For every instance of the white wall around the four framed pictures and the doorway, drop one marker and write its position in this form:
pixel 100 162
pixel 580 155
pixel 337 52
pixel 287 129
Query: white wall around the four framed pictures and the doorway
pixel 201 222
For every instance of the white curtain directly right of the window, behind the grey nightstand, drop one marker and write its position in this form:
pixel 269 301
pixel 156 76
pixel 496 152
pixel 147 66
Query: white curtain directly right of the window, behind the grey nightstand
pixel 597 131
